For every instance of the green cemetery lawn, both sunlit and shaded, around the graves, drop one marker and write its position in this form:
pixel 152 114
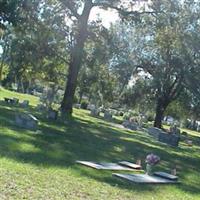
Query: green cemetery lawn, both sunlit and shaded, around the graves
pixel 41 165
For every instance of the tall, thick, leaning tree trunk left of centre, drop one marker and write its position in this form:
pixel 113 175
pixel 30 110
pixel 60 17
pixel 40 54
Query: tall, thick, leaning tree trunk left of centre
pixel 76 60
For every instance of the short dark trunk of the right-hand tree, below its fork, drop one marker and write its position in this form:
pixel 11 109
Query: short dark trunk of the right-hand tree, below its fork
pixel 160 109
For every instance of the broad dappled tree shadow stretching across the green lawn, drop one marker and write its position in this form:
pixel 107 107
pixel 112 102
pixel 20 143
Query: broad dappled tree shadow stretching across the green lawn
pixel 60 144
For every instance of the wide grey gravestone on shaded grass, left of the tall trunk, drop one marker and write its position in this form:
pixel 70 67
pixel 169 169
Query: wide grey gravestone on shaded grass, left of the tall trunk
pixel 26 121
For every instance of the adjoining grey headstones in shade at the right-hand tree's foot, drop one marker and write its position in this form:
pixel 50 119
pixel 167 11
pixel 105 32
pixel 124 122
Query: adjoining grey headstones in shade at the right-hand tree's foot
pixel 171 138
